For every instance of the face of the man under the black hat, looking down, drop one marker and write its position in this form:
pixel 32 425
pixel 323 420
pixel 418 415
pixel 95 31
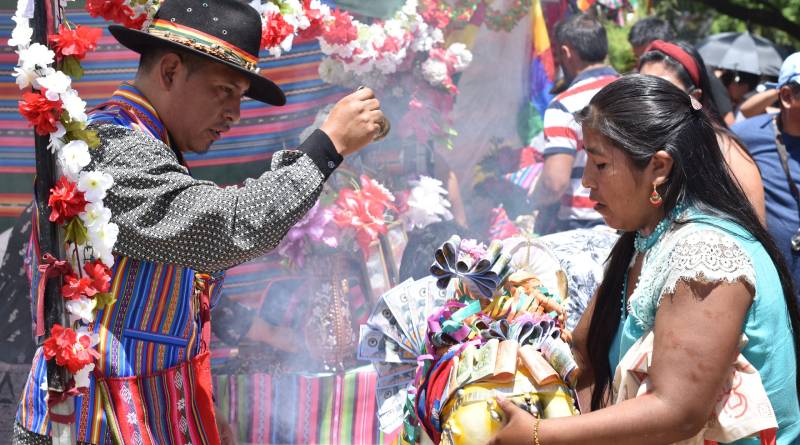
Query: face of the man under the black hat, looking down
pixel 203 105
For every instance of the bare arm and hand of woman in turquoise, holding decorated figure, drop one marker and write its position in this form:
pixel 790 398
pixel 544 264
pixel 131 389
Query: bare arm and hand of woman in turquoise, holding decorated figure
pixel 697 331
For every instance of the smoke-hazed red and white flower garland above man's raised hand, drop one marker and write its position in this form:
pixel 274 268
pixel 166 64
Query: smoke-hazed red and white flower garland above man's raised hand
pixel 408 48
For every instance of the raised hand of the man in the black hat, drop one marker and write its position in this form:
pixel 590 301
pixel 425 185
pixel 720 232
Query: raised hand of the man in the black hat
pixel 354 121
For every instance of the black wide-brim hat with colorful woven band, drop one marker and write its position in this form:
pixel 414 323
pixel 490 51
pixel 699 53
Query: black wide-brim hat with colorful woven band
pixel 224 31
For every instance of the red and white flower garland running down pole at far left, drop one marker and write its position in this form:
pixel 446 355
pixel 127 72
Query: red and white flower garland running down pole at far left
pixel 55 109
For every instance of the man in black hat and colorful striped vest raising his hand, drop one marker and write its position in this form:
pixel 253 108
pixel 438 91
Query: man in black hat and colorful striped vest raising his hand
pixel 177 234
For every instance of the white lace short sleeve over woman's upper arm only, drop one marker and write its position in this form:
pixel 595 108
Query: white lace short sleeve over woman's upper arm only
pixel 708 256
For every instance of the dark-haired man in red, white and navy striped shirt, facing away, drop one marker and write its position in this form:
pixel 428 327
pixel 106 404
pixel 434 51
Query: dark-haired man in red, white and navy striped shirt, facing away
pixel 581 47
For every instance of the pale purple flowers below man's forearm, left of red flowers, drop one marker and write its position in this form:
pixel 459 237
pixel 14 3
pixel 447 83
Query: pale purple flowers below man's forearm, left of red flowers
pixel 313 228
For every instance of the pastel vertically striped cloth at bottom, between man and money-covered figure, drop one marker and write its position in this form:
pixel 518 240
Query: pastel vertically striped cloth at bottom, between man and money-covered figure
pixel 295 409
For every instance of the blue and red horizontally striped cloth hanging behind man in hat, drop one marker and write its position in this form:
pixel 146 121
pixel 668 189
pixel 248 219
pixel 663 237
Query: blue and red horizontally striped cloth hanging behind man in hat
pixel 244 152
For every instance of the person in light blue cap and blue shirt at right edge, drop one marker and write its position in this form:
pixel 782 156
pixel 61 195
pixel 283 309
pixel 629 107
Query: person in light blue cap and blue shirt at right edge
pixel 774 142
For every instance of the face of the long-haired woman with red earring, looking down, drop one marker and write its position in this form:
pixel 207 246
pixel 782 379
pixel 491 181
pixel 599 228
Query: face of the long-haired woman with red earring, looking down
pixel 620 190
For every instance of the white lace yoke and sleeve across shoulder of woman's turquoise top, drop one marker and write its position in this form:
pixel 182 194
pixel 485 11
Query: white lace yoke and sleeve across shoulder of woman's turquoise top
pixel 687 254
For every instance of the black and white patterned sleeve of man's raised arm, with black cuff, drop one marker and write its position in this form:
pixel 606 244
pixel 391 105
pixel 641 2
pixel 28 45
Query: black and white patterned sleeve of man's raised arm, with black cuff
pixel 165 215
